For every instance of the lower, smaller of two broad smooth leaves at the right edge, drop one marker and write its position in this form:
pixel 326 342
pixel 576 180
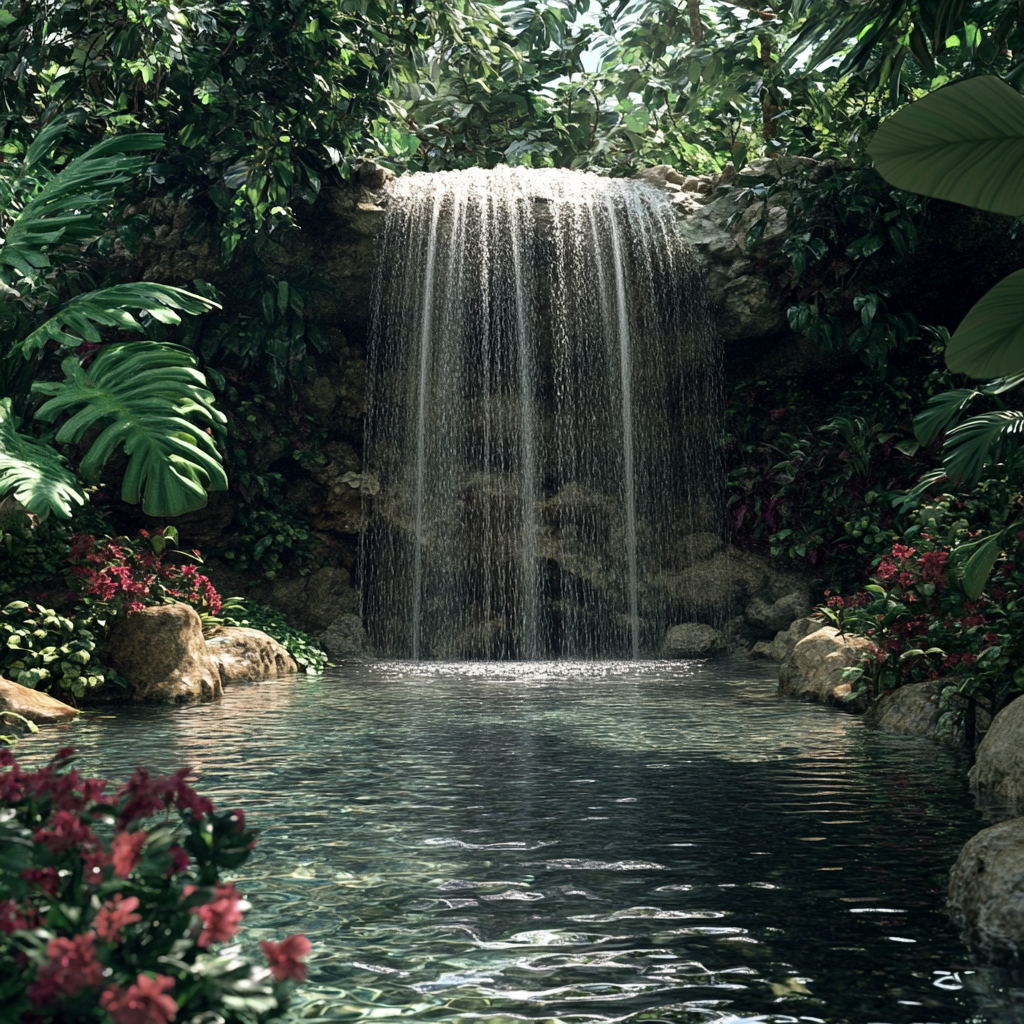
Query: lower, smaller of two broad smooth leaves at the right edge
pixel 990 342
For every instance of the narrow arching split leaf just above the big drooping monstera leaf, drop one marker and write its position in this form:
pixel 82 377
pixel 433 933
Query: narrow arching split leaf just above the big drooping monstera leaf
pixel 76 321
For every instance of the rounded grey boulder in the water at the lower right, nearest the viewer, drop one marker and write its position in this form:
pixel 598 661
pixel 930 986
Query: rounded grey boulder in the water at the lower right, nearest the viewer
pixel 987 891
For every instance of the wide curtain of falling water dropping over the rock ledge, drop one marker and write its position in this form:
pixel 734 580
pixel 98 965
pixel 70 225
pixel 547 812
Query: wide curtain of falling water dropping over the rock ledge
pixel 544 419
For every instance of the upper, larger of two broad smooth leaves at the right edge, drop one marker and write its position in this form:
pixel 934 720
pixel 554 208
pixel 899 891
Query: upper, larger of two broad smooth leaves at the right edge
pixel 963 144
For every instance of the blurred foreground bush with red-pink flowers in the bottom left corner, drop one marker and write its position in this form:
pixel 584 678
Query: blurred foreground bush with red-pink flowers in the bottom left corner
pixel 112 908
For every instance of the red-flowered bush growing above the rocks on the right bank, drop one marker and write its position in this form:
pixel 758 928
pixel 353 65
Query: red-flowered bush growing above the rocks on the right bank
pixel 925 625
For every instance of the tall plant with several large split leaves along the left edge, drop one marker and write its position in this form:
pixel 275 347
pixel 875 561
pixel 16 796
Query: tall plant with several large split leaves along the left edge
pixel 144 397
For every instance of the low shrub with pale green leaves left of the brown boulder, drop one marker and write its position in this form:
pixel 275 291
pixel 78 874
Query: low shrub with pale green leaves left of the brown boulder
pixel 46 651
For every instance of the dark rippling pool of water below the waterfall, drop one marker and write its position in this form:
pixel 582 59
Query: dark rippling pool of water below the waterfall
pixel 579 842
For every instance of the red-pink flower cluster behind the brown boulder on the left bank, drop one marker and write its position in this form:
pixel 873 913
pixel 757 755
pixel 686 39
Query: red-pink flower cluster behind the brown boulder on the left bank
pixel 131 575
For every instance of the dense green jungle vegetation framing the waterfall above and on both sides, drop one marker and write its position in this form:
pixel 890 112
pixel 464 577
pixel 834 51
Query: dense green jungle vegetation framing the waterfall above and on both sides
pixel 248 110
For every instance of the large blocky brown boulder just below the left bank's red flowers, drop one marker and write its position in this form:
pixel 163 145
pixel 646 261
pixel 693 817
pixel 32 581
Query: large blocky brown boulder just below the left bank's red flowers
pixel 162 654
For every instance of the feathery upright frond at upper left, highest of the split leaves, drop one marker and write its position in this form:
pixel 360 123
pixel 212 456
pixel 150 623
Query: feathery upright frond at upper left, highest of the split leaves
pixel 67 207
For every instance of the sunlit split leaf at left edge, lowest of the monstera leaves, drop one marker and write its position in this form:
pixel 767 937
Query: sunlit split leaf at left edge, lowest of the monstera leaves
pixel 33 473
